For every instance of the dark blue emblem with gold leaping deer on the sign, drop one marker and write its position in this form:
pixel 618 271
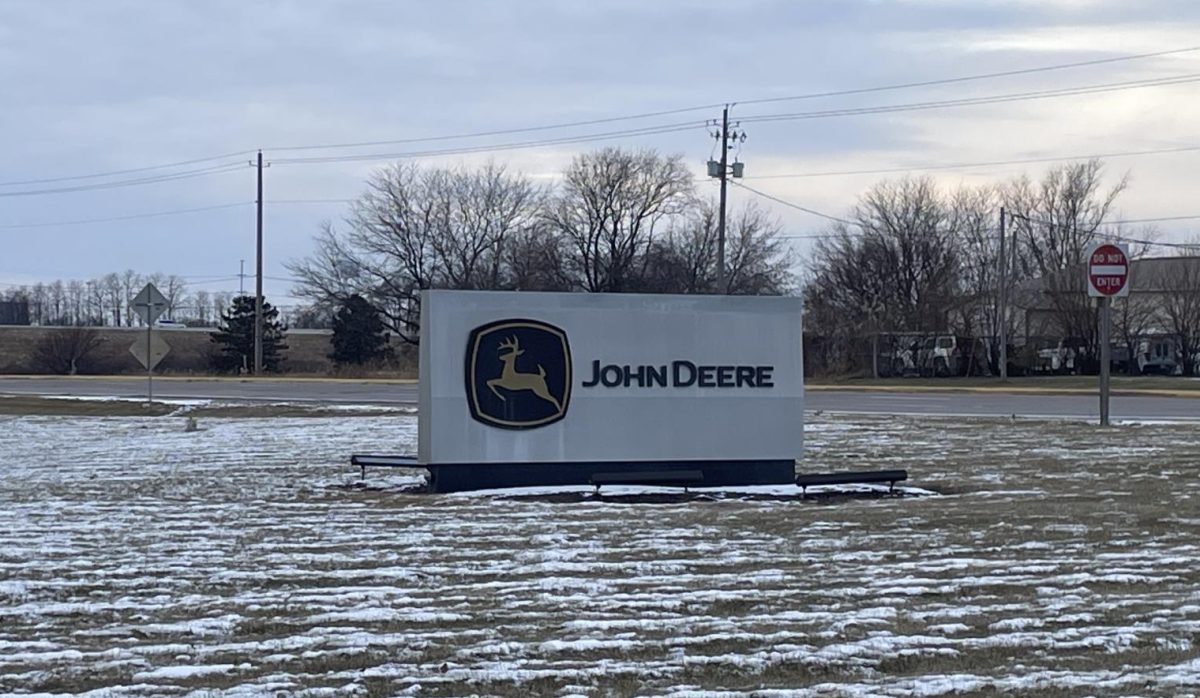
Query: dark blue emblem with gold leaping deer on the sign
pixel 519 375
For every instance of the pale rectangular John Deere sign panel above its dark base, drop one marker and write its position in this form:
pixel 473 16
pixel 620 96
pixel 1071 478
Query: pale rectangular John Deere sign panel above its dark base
pixel 525 378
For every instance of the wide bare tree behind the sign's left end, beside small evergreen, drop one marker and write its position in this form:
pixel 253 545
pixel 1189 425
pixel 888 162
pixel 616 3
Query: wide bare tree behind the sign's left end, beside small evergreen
pixel 417 230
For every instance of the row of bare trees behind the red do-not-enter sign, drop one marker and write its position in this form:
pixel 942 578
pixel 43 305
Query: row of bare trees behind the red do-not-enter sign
pixel 911 257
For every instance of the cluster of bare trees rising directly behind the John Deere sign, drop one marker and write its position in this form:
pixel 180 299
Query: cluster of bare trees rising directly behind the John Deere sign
pixel 616 221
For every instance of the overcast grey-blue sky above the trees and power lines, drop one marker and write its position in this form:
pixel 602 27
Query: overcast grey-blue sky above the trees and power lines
pixel 99 87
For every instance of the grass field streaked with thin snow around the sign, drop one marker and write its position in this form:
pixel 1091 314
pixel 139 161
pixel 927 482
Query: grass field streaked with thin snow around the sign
pixel 141 559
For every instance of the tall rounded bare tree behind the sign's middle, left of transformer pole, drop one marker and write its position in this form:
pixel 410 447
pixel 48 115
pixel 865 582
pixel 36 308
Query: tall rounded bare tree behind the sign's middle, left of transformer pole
pixel 608 209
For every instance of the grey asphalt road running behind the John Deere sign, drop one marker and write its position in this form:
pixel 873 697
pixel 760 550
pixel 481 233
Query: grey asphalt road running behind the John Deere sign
pixel 898 402
